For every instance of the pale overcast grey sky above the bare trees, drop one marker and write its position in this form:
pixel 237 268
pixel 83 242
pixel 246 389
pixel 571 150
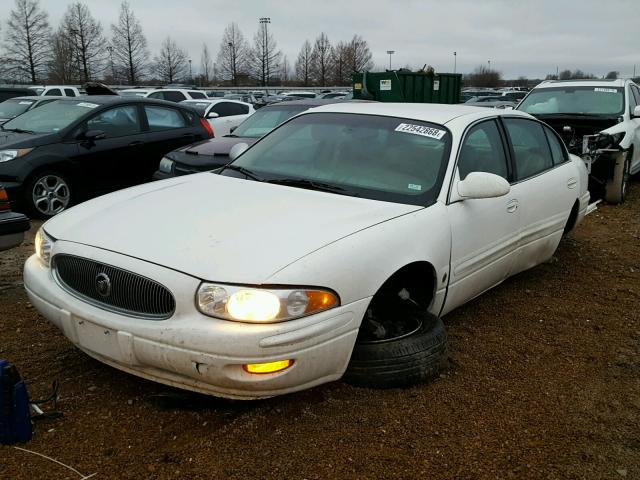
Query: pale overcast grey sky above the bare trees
pixel 530 38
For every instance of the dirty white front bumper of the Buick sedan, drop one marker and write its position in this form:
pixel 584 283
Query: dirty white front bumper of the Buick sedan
pixel 190 350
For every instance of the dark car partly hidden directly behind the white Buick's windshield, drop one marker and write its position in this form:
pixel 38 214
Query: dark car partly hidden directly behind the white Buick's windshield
pixel 214 153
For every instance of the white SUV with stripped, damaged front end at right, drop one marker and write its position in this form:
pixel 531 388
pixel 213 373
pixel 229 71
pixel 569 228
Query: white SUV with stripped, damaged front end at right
pixel 599 120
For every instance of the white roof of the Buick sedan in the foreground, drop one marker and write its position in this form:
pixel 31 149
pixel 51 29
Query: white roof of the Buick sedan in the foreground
pixel 427 112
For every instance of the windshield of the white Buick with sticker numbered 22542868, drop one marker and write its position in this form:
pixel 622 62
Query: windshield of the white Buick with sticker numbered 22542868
pixel 381 158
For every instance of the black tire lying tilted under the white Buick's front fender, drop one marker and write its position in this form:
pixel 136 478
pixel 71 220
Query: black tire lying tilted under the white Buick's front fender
pixel 403 360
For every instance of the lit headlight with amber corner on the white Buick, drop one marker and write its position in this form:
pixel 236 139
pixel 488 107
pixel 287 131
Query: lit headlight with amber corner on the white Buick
pixel 261 305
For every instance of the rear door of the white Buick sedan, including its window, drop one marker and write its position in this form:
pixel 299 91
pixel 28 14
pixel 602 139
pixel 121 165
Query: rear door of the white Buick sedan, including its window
pixel 546 186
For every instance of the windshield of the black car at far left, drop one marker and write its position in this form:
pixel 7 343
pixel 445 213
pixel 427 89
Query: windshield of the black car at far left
pixel 50 118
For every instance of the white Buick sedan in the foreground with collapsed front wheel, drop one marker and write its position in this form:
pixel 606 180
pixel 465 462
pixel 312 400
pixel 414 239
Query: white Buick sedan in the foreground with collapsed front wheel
pixel 332 245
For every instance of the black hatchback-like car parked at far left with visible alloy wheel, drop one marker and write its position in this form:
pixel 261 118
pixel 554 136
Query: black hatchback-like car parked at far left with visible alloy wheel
pixel 76 148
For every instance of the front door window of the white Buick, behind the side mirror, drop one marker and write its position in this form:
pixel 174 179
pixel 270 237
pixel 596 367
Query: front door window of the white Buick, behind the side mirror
pixel 482 151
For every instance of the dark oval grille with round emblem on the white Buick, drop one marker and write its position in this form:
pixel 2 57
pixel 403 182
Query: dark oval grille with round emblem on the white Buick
pixel 113 288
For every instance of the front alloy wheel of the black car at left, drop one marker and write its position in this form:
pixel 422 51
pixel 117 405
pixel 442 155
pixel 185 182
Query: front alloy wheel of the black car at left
pixel 48 193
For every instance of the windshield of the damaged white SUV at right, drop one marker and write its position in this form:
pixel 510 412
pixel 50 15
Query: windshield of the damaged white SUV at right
pixel 574 100
